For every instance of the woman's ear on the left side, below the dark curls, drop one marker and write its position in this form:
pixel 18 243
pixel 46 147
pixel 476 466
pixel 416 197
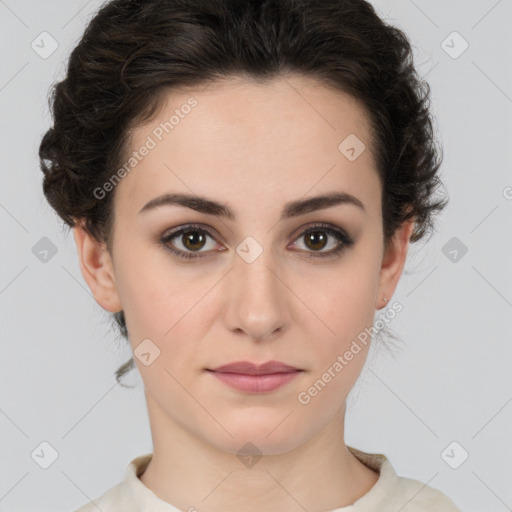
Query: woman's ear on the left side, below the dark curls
pixel 97 269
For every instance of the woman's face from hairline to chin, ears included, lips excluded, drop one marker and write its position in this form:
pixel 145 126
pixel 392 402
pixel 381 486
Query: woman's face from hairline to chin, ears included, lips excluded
pixel 273 280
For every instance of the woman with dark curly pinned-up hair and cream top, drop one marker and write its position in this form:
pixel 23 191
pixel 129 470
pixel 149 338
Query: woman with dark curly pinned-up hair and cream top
pixel 243 180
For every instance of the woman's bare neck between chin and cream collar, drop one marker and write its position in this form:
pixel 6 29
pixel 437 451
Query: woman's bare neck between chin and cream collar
pixel 191 473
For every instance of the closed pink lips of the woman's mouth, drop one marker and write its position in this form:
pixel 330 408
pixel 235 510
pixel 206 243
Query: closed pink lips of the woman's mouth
pixel 247 376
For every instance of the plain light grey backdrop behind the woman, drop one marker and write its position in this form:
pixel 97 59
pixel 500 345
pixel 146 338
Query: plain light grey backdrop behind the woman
pixel 450 382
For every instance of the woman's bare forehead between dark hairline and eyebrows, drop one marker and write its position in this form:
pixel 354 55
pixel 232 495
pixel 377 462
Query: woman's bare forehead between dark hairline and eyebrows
pixel 279 139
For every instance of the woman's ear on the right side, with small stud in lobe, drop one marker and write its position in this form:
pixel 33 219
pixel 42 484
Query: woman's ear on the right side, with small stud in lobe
pixel 393 262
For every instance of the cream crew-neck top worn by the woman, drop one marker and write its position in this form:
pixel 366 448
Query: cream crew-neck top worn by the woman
pixel 389 494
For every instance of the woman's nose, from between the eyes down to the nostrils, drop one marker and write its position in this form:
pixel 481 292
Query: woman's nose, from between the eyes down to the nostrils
pixel 257 298
